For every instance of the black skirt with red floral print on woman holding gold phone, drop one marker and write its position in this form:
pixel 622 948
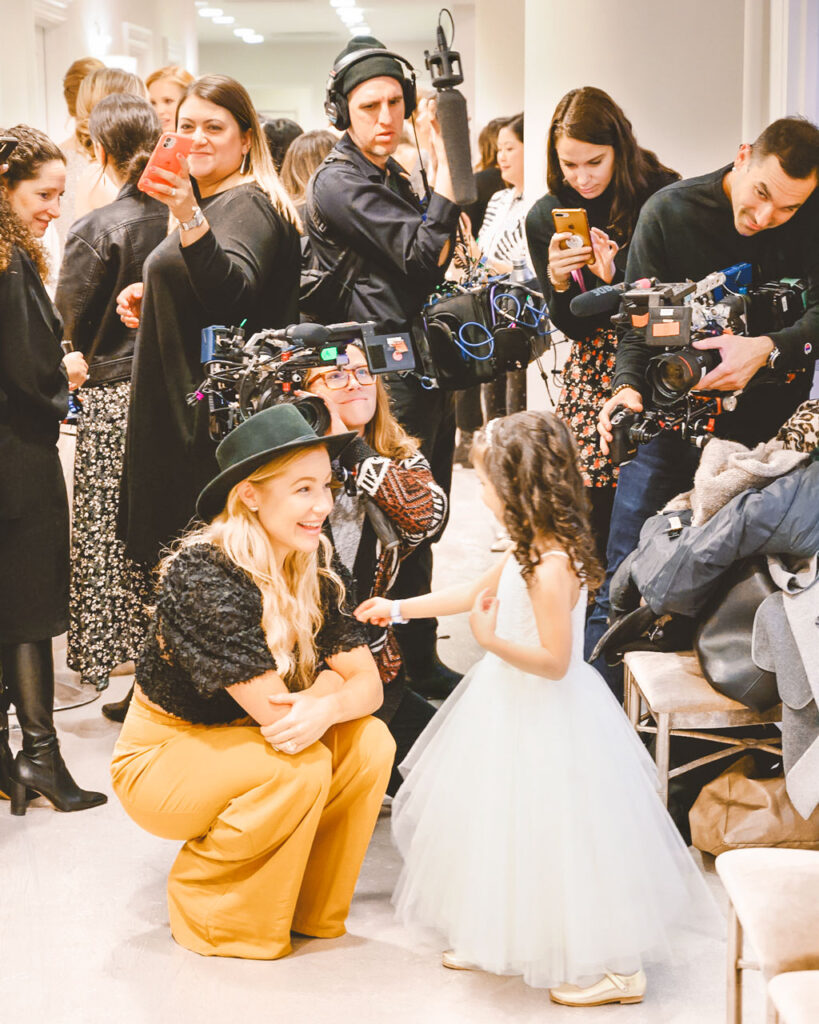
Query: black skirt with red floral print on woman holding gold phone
pixel 587 383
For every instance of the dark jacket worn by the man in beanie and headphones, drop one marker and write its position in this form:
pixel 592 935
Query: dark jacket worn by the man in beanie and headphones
pixel 378 216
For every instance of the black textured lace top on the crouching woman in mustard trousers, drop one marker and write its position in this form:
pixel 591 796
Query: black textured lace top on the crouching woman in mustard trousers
pixel 206 634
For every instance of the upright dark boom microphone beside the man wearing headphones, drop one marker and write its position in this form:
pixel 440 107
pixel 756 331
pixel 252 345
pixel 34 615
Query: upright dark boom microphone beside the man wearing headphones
pixel 445 66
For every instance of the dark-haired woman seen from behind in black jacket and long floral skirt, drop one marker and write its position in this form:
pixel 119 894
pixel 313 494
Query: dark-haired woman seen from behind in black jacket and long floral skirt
pixel 105 251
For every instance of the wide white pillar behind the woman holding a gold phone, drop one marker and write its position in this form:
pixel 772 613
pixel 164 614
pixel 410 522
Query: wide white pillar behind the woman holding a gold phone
pixel 675 69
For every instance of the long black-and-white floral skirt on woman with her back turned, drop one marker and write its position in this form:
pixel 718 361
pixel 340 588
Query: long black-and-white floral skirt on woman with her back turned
pixel 110 594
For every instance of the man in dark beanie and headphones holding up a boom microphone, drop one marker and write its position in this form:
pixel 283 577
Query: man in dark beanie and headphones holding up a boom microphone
pixel 363 202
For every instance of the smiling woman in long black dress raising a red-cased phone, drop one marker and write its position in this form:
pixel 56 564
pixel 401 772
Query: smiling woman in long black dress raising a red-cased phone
pixel 232 259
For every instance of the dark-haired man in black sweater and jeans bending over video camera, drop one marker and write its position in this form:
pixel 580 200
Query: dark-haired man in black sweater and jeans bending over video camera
pixel 761 210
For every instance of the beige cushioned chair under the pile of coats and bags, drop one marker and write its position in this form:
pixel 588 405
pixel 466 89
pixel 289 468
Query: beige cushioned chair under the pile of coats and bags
pixel 669 690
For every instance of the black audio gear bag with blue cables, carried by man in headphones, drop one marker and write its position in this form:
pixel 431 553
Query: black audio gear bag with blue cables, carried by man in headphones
pixel 476 331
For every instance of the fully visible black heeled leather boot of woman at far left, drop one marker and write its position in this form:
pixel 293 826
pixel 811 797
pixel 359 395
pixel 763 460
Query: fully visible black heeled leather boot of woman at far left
pixel 29 677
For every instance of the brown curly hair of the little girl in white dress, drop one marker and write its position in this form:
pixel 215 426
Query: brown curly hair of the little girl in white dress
pixel 532 461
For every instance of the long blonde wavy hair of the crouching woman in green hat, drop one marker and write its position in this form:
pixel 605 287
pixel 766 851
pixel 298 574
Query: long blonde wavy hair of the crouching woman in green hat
pixel 291 596
